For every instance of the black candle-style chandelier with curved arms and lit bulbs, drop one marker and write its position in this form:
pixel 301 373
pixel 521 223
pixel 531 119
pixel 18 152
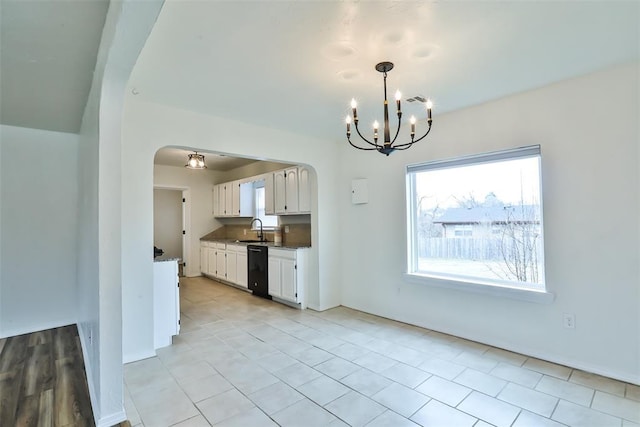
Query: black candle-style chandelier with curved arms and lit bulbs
pixel 388 145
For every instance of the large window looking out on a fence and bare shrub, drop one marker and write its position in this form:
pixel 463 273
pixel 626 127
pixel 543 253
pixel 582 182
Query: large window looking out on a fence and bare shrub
pixel 478 219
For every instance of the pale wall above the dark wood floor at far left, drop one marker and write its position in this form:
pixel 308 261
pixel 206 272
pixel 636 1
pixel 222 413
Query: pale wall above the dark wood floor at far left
pixel 38 196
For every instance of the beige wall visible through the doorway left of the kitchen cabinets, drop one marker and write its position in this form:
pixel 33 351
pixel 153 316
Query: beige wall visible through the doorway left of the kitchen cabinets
pixel 167 222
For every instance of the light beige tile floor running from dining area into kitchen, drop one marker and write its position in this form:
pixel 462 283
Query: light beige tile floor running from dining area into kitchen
pixel 245 361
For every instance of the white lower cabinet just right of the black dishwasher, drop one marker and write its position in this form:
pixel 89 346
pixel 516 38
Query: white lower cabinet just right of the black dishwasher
pixel 287 271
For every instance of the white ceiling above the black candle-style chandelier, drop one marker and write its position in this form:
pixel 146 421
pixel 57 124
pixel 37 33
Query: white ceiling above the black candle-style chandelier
pixel 296 65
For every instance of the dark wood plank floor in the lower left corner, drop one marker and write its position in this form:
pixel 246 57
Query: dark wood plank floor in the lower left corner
pixel 43 380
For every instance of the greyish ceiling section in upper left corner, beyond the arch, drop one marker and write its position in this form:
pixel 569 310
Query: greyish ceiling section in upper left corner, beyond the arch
pixel 48 53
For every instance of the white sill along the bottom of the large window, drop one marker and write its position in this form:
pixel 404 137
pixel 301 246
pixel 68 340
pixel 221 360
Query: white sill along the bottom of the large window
pixel 478 287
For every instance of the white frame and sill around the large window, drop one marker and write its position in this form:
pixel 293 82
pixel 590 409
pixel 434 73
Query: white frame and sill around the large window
pixel 473 284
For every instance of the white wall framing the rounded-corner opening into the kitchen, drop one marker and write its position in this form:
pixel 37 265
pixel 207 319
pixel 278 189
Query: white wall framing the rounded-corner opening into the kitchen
pixel 148 127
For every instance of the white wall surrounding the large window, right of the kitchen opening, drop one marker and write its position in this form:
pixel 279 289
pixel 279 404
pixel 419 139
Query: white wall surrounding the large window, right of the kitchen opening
pixel 588 132
